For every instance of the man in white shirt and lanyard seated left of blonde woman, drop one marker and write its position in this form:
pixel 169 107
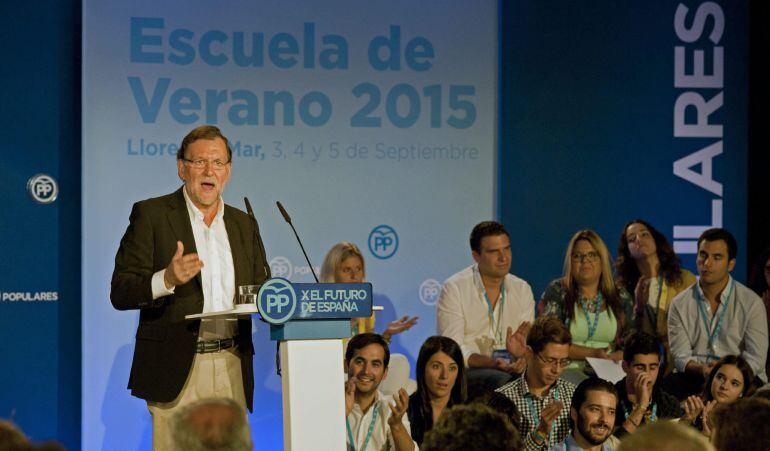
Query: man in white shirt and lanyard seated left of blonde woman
pixel 481 306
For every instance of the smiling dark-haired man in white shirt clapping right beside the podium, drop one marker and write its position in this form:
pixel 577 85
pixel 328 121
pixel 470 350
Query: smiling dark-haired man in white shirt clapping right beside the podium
pixel 372 422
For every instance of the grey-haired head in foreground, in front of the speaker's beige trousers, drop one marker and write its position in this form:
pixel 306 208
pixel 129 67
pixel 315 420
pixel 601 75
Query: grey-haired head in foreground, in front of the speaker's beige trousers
pixel 211 424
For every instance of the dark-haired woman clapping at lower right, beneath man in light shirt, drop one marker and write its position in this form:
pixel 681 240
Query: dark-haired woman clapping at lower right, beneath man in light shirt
pixel 729 380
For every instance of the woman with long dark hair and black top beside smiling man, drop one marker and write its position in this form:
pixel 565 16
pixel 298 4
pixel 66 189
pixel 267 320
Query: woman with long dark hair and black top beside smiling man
pixel 440 384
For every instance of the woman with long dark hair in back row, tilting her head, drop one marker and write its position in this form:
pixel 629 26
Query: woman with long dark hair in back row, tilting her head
pixel 648 267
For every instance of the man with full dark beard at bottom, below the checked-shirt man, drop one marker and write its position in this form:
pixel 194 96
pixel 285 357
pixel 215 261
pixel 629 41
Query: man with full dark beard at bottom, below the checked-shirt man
pixel 592 412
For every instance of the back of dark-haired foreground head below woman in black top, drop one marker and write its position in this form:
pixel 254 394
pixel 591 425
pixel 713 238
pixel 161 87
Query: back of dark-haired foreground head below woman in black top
pixel 472 427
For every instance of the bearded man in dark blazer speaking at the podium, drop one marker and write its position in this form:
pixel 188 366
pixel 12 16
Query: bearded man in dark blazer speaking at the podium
pixel 158 270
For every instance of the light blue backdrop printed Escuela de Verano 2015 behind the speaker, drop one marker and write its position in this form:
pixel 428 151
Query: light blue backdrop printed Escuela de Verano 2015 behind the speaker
pixel 372 122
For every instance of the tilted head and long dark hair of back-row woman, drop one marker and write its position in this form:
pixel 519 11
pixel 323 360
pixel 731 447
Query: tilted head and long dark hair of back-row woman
pixel 638 240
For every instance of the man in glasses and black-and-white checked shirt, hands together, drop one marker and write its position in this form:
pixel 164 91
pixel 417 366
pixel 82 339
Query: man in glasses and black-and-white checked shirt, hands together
pixel 540 395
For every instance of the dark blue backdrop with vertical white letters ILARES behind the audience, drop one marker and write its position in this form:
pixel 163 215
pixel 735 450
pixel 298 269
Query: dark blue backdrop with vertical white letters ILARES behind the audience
pixel 591 132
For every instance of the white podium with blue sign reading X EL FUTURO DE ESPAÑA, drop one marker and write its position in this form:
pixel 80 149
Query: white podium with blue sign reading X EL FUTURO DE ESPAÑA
pixel 309 320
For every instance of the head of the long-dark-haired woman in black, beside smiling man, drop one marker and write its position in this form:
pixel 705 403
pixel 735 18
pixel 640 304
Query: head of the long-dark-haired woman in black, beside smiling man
pixel 441 370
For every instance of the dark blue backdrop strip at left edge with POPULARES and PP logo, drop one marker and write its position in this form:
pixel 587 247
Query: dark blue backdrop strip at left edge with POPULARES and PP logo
pixel 40 242
